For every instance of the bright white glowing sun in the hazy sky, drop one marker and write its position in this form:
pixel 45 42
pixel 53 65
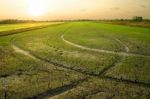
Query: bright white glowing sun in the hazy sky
pixel 37 7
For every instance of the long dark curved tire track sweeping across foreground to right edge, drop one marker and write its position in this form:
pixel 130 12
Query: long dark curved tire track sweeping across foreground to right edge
pixel 87 73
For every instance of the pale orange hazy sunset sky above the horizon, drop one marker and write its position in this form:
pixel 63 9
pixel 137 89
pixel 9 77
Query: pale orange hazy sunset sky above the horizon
pixel 73 9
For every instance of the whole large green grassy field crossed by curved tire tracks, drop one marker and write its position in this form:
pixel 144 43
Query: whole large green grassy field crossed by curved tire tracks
pixel 59 68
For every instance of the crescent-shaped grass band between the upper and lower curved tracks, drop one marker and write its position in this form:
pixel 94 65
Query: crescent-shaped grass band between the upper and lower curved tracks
pixel 44 45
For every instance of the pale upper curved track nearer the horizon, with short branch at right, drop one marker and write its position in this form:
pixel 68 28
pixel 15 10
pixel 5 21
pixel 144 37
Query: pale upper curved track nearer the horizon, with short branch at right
pixel 104 51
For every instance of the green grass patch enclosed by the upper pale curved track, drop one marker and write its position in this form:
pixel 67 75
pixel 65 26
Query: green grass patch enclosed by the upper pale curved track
pixel 84 34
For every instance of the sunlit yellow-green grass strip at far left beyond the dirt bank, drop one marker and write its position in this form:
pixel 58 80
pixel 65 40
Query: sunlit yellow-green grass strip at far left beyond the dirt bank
pixel 10 29
